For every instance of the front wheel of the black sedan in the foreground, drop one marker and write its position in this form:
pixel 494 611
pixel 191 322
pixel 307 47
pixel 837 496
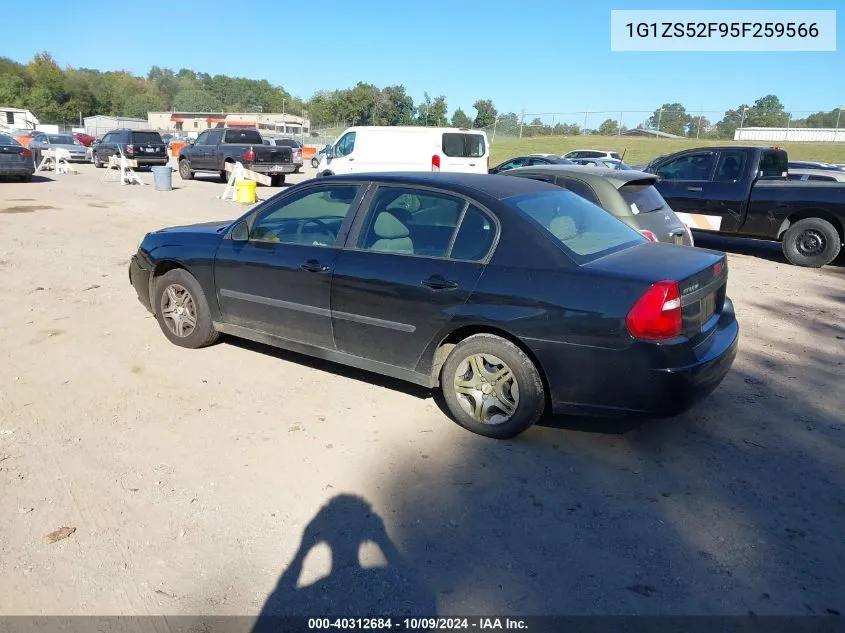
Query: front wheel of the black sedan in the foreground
pixel 178 290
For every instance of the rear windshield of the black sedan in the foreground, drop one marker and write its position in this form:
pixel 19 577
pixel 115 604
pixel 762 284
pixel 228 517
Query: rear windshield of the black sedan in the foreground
pixel 584 230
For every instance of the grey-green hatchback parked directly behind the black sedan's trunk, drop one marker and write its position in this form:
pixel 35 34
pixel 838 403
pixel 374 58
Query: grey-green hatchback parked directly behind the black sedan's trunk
pixel 626 194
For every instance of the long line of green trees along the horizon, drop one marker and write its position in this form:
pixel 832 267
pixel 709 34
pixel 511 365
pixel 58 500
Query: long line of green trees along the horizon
pixel 60 95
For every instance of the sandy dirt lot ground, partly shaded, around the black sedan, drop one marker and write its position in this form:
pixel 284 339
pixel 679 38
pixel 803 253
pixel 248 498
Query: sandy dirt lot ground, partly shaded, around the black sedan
pixel 239 478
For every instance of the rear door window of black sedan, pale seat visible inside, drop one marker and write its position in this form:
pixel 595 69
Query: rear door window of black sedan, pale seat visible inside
pixel 411 222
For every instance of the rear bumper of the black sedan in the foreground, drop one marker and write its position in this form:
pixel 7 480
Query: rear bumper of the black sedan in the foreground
pixel 643 379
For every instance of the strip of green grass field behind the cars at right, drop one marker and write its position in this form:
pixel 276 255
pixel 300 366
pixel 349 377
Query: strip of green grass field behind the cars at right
pixel 641 150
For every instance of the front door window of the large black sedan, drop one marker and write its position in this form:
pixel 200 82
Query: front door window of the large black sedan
pixel 313 217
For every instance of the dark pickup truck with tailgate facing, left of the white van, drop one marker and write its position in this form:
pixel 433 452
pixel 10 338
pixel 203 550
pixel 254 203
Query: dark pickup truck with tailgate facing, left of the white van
pixel 216 147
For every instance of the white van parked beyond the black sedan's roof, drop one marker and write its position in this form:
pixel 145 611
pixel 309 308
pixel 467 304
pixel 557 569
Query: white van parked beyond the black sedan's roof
pixel 375 148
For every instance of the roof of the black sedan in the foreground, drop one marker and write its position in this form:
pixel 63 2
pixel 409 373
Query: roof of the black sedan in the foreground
pixel 495 186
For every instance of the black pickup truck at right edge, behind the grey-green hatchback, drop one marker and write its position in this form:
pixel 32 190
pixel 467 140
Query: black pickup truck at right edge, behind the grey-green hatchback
pixel 744 192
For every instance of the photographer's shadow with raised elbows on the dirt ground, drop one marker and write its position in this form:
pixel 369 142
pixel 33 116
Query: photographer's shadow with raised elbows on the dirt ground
pixel 345 524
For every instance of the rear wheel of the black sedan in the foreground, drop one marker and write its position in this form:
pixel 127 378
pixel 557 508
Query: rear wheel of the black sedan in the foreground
pixel 500 407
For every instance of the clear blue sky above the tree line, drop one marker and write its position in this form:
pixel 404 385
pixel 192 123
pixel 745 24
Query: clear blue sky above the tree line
pixel 544 56
